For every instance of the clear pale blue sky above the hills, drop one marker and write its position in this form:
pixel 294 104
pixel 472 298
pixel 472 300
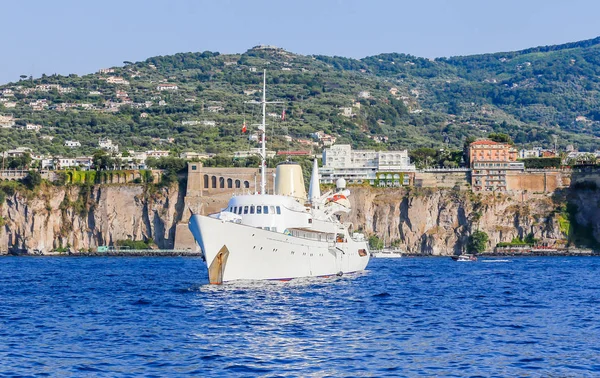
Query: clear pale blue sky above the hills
pixel 80 36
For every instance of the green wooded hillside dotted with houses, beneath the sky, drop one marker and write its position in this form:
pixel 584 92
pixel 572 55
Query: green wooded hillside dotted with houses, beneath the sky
pixel 414 102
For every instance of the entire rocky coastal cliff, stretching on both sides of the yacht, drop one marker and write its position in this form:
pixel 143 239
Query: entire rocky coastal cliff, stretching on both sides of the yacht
pixel 418 220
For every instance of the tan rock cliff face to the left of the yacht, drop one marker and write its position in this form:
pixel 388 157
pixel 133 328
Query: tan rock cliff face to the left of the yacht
pixel 81 218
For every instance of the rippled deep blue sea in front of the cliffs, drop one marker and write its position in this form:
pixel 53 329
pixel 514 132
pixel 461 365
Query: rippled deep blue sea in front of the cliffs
pixel 409 317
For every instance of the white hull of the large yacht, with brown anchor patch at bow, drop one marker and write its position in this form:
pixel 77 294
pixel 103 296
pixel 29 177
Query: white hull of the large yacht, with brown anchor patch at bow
pixel 235 251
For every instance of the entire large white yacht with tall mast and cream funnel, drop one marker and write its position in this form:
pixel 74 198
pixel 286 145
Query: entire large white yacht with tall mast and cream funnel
pixel 283 235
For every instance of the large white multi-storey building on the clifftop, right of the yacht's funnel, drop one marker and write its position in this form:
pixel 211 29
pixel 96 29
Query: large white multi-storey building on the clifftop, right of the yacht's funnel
pixel 340 161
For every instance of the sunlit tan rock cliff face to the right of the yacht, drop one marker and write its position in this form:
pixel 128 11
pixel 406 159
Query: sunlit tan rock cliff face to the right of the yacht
pixel 439 222
